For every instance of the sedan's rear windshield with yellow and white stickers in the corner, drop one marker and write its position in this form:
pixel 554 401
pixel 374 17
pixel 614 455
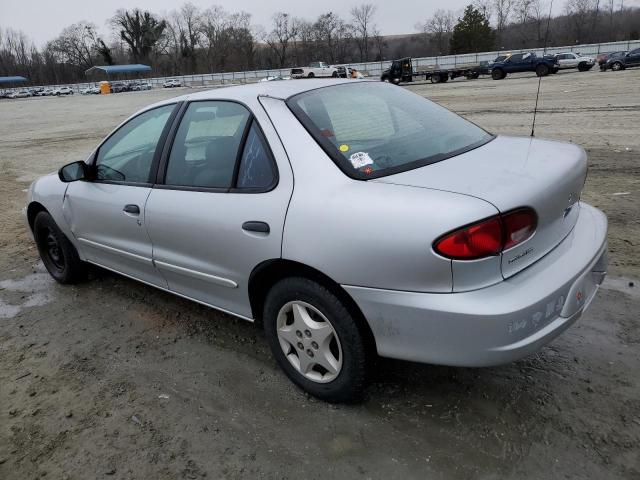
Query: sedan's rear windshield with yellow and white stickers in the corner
pixel 375 129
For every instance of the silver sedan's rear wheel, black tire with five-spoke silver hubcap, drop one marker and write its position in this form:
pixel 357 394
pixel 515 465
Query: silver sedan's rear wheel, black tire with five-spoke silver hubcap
pixel 346 348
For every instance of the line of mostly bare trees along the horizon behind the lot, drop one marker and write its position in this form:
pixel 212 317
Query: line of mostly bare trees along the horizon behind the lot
pixel 192 40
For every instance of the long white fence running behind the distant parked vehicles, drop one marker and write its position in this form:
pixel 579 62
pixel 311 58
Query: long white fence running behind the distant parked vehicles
pixel 372 69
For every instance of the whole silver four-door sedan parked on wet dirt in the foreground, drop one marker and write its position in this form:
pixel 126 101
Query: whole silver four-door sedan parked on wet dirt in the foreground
pixel 350 218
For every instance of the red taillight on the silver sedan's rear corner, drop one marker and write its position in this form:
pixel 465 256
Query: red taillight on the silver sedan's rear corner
pixel 488 237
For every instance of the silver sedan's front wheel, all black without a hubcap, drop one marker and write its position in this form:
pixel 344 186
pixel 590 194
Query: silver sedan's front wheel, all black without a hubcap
pixel 56 251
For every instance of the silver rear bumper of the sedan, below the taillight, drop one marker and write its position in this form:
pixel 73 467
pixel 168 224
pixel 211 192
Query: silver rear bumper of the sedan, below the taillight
pixel 496 324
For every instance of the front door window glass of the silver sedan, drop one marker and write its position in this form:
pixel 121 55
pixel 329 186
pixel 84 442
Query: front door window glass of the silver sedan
pixel 127 155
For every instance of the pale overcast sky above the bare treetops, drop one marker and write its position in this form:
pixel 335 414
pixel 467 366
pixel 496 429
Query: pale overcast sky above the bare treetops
pixel 42 20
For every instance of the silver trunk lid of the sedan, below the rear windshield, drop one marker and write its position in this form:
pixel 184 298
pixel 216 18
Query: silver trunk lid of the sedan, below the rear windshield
pixel 512 172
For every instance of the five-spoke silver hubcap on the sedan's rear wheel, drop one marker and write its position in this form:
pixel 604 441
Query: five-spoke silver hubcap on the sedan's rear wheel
pixel 309 341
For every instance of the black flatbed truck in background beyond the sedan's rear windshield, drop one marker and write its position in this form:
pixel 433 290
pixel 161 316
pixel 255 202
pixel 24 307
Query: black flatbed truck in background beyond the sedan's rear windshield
pixel 403 70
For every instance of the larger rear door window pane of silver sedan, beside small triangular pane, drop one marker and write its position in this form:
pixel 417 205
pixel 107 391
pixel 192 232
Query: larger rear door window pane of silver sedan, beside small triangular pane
pixel 206 145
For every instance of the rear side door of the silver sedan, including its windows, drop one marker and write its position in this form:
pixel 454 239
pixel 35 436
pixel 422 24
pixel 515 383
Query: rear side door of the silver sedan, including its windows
pixel 219 208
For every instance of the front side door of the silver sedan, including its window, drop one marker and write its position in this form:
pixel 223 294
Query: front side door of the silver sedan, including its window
pixel 106 214
